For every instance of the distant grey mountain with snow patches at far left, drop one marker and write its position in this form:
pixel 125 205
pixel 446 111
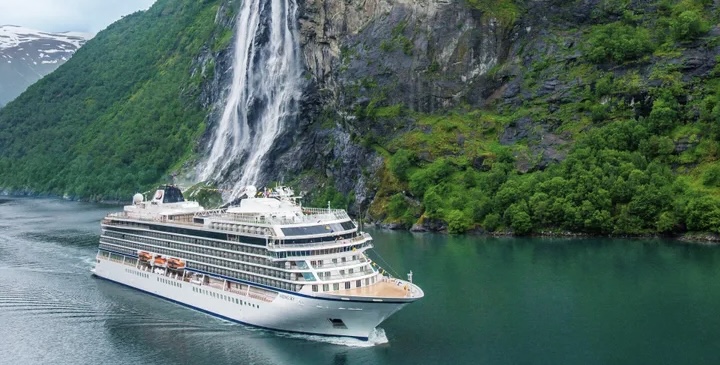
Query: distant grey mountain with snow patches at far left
pixel 26 55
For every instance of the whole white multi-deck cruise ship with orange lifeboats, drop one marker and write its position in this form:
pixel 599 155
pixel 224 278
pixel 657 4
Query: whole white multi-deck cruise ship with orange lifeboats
pixel 266 262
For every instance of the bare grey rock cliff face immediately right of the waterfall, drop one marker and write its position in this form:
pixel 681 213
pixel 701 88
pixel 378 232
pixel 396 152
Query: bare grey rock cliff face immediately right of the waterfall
pixel 424 55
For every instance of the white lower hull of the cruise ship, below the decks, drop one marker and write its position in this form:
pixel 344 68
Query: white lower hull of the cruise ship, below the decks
pixel 287 312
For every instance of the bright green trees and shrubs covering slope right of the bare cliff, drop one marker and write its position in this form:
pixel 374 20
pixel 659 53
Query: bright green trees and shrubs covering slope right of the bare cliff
pixel 640 130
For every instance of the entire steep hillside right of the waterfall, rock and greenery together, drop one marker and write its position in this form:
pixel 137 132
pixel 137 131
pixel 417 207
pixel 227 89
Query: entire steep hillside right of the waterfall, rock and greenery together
pixel 524 116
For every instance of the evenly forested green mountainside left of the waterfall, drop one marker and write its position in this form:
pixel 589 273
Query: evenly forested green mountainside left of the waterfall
pixel 119 115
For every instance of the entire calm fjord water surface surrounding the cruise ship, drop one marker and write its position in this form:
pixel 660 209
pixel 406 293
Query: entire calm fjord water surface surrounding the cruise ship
pixel 488 301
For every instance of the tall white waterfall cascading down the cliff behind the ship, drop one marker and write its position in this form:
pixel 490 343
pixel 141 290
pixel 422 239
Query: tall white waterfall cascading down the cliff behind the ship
pixel 264 94
